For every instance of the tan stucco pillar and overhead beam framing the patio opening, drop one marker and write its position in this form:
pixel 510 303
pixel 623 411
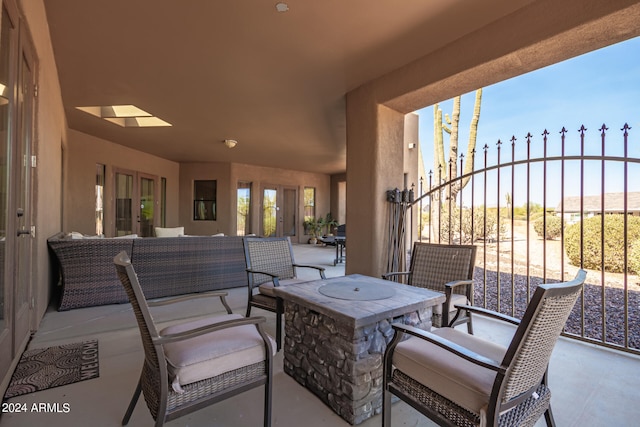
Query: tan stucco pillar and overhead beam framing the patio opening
pixel 501 50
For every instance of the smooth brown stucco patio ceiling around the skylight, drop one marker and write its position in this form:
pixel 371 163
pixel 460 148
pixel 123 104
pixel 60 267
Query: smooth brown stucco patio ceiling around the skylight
pixel 275 82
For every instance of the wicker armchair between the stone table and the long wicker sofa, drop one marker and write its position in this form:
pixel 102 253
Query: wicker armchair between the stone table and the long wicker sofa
pixel 270 263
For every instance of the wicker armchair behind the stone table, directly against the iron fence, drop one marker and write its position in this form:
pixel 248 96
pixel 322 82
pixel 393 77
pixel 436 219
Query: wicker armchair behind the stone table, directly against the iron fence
pixel 447 269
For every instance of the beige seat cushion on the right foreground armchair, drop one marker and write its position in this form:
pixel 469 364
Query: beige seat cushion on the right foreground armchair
pixel 448 375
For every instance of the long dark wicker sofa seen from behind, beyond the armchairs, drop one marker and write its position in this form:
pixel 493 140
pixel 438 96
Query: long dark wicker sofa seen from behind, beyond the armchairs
pixel 165 265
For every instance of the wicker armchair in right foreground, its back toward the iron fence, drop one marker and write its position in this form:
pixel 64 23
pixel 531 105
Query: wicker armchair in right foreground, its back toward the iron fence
pixel 459 379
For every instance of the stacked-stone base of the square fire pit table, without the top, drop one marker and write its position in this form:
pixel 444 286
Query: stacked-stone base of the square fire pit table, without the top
pixel 339 364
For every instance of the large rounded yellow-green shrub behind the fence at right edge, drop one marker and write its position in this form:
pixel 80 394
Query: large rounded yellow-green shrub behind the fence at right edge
pixel 613 244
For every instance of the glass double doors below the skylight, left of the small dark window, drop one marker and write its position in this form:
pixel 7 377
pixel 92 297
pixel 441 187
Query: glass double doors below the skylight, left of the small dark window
pixel 136 203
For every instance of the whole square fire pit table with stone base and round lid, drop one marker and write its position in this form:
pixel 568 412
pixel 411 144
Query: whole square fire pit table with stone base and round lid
pixel 336 332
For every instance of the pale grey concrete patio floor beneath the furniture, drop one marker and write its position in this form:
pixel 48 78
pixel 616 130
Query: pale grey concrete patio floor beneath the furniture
pixel 591 386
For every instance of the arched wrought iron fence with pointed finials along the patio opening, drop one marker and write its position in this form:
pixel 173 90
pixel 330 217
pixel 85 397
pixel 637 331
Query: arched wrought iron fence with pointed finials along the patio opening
pixel 540 212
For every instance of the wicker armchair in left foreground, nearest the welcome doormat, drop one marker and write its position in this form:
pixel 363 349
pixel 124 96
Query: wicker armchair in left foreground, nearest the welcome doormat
pixel 197 363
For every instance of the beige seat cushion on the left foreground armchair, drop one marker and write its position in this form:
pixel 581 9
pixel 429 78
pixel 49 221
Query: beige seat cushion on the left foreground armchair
pixel 214 353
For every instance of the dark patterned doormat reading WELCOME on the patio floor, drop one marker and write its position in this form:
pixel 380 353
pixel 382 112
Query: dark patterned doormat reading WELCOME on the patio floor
pixel 43 368
